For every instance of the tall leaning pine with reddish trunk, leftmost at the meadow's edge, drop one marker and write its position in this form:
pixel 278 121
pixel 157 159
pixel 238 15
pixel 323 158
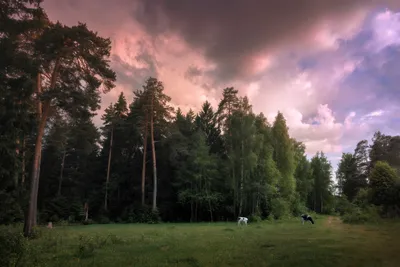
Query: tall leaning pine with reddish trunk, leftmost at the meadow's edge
pixel 72 66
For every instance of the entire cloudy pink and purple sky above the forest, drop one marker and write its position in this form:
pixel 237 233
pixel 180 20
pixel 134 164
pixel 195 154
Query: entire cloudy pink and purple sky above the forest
pixel 332 67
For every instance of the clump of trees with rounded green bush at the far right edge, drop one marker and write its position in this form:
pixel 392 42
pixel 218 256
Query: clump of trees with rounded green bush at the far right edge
pixel 368 180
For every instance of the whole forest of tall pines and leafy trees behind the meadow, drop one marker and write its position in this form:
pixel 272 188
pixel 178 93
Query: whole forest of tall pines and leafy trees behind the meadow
pixel 149 162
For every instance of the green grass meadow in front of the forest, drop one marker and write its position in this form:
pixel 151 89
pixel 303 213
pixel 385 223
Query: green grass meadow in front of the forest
pixel 327 243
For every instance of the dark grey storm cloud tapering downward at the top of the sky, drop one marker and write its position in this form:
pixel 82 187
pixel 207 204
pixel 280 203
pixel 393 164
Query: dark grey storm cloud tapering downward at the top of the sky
pixel 232 32
